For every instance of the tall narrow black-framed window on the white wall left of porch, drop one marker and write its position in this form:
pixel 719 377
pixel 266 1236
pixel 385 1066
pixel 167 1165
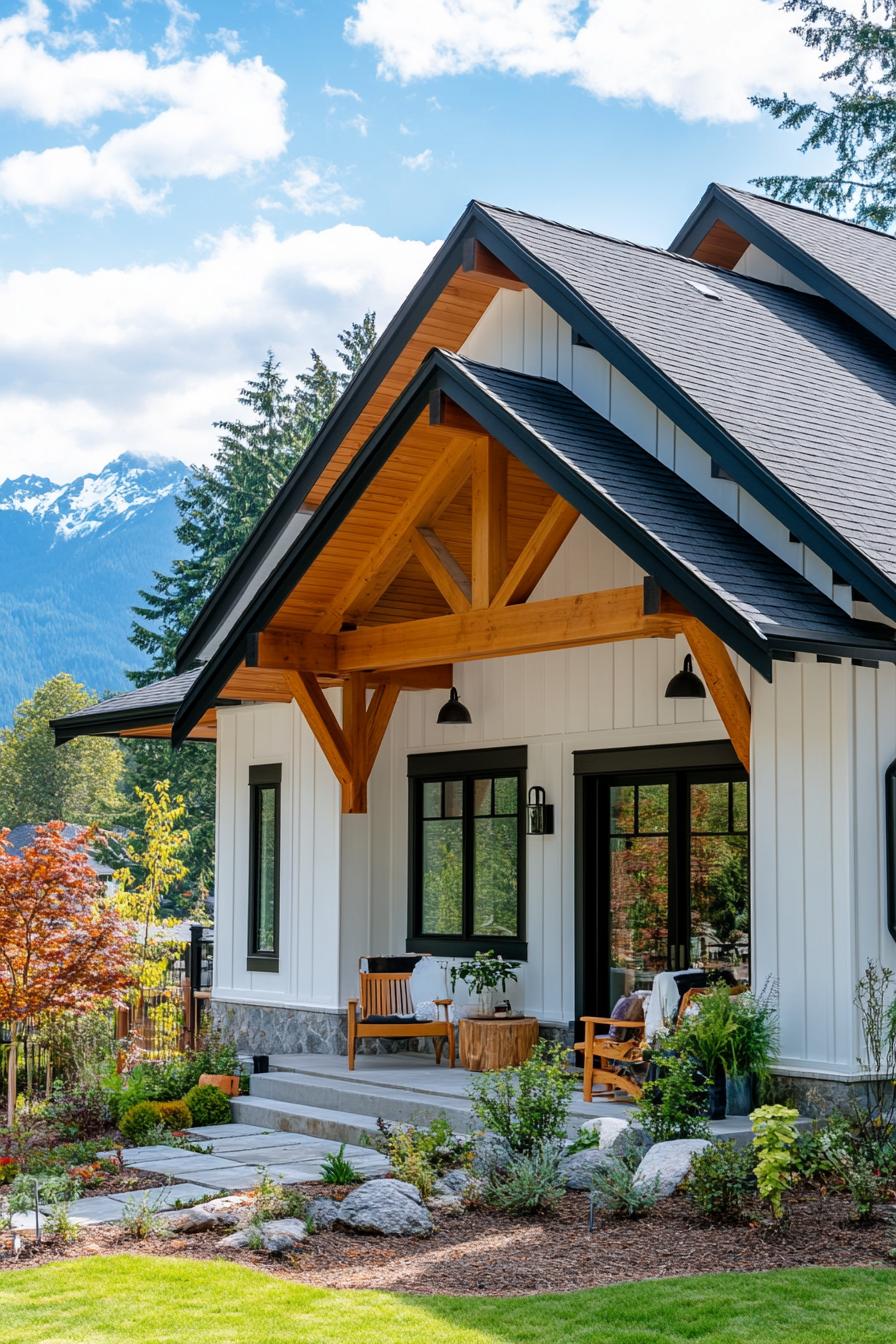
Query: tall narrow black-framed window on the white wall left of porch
pixel 264 868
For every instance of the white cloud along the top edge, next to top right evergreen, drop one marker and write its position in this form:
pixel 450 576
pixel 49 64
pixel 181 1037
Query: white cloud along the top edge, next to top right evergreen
pixel 701 58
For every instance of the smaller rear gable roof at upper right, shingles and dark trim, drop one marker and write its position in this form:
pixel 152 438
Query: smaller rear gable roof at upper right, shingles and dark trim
pixel 851 265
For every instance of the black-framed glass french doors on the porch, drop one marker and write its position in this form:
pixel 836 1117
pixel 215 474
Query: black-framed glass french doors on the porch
pixel 664 876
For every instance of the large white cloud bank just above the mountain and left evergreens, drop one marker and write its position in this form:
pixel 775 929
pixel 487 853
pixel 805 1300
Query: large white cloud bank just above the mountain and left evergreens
pixel 148 357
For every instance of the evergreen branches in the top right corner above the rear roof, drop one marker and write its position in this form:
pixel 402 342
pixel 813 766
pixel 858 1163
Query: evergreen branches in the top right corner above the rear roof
pixel 858 122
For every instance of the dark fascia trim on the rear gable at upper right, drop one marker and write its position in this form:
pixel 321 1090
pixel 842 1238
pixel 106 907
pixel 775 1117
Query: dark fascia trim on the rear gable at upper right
pixel 719 204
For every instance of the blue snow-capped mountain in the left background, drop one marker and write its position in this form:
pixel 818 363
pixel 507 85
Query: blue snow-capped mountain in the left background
pixel 73 558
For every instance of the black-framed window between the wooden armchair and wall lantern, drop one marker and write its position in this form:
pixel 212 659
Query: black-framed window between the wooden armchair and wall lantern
pixel 468 853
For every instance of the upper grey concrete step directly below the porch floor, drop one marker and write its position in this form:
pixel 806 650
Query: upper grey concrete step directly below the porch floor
pixel 409 1105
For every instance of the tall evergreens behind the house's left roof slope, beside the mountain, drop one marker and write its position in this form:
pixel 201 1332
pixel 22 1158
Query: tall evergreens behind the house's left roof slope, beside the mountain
pixel 218 507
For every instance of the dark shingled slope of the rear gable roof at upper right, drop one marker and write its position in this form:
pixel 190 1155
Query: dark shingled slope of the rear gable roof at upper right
pixel 862 257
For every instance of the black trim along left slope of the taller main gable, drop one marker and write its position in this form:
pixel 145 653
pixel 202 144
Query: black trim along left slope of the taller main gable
pixel 326 443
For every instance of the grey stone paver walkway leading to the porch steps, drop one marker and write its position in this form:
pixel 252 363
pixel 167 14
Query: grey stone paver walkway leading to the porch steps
pixel 236 1161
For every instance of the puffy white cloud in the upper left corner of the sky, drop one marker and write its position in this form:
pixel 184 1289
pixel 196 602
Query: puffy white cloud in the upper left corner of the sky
pixel 205 118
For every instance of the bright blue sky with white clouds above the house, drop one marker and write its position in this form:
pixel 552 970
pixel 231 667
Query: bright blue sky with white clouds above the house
pixel 185 185
